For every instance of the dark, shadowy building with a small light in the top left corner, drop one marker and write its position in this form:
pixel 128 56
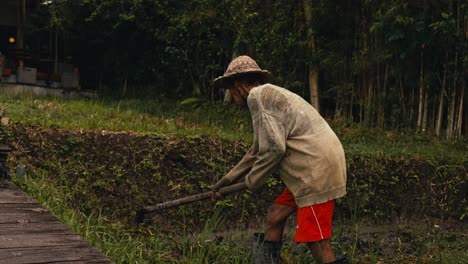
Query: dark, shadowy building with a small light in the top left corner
pixel 29 57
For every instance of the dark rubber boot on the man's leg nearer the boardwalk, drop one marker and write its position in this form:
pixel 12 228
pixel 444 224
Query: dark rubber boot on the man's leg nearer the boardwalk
pixel 265 252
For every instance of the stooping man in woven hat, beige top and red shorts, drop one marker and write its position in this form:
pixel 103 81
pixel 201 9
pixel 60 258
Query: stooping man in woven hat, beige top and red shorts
pixel 289 136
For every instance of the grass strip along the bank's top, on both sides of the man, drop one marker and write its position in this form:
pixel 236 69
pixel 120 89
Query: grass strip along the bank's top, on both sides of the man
pixel 201 118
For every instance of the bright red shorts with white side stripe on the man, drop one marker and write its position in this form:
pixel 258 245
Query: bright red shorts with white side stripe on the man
pixel 313 222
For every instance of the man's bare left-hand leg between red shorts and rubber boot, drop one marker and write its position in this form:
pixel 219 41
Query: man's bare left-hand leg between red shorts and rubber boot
pixel 276 220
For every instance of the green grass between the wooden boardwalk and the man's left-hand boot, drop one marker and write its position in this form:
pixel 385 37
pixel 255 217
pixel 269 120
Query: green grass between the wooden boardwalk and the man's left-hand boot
pixel 138 244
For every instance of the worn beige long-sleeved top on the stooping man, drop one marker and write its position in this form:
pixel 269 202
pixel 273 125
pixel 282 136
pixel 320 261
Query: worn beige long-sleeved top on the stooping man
pixel 291 136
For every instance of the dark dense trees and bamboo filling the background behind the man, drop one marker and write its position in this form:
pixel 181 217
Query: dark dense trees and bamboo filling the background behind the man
pixel 392 64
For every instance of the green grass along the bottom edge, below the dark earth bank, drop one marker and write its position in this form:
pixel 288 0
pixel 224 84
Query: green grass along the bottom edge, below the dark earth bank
pixel 412 244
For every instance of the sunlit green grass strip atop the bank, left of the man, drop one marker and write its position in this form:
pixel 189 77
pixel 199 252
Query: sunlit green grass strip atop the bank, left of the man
pixel 163 117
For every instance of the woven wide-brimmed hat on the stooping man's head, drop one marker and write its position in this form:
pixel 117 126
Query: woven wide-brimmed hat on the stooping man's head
pixel 242 65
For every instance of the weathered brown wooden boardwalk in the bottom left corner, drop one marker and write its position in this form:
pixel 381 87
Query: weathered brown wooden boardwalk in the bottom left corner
pixel 31 234
